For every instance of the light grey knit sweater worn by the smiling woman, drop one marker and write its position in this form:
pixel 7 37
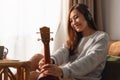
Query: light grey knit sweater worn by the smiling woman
pixel 89 61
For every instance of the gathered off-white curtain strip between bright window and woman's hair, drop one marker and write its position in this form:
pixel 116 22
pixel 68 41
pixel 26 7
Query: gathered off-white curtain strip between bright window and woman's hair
pixel 61 36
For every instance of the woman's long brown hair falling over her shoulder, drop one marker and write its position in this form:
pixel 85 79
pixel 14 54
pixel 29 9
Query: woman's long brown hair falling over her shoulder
pixel 73 36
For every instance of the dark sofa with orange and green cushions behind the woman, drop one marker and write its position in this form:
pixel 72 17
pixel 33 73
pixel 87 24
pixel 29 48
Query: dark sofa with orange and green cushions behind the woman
pixel 112 68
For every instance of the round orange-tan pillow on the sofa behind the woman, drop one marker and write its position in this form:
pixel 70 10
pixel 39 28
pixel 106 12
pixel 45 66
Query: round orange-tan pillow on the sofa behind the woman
pixel 114 48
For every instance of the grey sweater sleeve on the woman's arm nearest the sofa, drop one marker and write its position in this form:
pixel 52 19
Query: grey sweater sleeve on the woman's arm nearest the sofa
pixel 95 56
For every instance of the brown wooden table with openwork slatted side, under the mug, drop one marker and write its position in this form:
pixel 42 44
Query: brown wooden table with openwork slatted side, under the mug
pixel 22 68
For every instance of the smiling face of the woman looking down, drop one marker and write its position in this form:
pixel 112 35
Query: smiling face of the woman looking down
pixel 77 21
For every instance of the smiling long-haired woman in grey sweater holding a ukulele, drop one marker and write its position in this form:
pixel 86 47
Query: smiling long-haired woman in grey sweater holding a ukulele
pixel 83 56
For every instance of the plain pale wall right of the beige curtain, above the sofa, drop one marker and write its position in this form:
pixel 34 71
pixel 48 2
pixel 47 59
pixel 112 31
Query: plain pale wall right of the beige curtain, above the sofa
pixel 111 18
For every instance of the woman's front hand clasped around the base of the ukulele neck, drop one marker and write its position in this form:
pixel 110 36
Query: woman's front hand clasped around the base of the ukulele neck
pixel 51 69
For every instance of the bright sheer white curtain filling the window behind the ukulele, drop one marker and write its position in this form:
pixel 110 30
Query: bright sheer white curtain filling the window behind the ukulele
pixel 19 22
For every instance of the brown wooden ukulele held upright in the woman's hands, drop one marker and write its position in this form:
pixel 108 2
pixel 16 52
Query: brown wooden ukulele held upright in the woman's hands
pixel 45 37
